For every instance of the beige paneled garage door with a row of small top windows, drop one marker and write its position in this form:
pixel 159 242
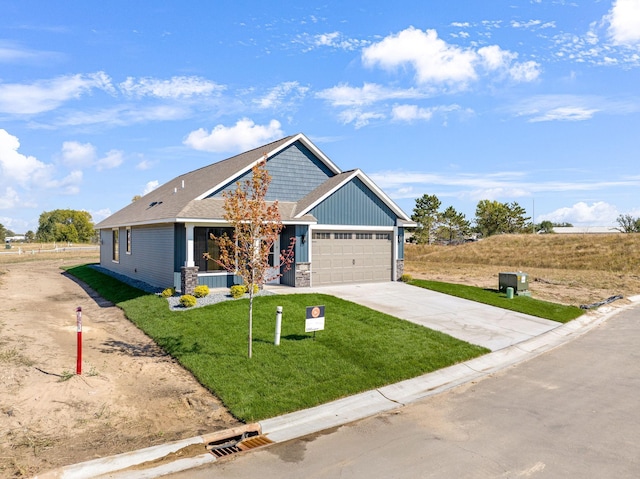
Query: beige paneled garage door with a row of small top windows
pixel 350 257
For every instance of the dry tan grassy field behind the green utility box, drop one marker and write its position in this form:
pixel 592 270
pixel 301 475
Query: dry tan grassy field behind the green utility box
pixel 567 269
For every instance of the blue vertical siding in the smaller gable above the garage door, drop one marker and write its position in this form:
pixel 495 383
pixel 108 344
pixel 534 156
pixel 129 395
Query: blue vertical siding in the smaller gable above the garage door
pixel 354 204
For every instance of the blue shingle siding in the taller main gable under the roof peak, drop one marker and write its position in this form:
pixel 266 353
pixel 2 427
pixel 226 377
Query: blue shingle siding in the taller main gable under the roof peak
pixel 295 172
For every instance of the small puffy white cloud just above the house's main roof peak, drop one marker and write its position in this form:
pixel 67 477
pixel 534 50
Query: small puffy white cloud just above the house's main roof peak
pixel 244 135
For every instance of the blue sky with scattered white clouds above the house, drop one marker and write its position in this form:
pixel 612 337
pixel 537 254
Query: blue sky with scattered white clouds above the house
pixel 534 101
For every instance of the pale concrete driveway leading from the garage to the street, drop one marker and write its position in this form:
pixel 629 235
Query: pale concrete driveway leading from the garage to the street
pixel 476 323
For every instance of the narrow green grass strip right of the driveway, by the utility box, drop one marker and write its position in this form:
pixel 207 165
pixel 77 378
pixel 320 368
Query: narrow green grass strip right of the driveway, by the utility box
pixel 521 304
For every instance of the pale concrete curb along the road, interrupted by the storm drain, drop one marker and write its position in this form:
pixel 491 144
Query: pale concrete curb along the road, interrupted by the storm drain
pixel 342 411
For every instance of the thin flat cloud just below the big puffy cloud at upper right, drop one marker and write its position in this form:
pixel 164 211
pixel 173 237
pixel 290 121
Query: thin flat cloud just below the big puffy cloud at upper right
pixel 368 94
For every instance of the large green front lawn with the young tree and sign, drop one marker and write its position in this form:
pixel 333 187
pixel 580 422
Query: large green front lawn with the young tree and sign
pixel 360 349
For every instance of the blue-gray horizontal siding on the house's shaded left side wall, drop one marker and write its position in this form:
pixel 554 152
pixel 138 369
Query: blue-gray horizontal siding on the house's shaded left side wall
pixel 151 258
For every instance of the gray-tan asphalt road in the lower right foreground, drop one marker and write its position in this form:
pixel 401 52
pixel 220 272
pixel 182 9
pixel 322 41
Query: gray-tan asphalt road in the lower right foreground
pixel 571 412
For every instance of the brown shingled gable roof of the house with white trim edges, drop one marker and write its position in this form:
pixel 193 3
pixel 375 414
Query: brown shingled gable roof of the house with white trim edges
pixel 186 198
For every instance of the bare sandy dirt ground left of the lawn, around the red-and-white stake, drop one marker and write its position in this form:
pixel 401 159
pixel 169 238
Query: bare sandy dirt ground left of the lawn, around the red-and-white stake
pixel 130 394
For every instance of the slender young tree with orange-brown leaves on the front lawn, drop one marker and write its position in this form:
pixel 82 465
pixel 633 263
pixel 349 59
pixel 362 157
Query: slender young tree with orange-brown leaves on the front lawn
pixel 256 226
